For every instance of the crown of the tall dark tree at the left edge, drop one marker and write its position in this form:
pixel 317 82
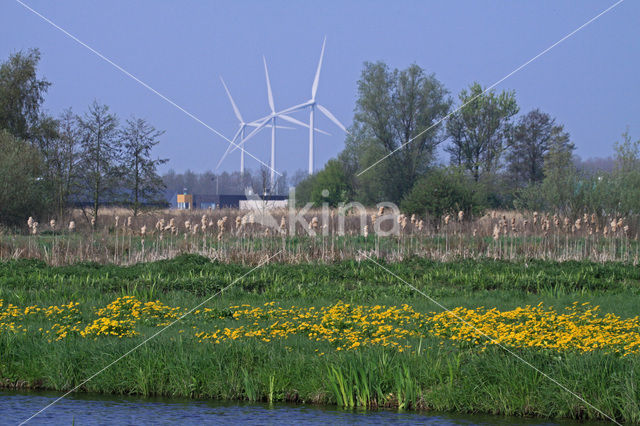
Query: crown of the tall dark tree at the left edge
pixel 21 94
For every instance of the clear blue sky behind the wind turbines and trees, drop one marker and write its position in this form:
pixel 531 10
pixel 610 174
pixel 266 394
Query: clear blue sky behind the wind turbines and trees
pixel 589 82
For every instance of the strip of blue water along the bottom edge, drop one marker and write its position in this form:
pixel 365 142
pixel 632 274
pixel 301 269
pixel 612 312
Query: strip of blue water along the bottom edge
pixel 87 409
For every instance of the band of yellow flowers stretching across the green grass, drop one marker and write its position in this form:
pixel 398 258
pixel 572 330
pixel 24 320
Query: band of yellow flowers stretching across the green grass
pixel 578 328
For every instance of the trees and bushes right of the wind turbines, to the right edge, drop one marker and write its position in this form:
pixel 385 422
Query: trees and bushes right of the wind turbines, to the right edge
pixel 497 157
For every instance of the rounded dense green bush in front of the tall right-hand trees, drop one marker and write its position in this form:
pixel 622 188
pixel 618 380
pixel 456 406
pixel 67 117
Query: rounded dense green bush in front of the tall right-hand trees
pixel 445 191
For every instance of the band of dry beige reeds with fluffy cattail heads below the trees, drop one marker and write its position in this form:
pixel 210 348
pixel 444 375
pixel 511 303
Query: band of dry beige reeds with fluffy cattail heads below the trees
pixel 234 236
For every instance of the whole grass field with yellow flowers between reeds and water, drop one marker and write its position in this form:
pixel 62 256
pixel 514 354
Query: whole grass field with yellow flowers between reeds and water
pixel 347 333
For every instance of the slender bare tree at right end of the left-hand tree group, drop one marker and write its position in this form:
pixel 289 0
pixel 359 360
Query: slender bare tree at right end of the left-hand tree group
pixel 141 179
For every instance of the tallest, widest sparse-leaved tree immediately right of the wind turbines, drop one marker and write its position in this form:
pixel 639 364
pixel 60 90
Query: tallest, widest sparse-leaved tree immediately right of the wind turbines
pixel 396 112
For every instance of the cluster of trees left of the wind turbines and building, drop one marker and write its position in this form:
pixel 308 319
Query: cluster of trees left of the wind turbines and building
pixel 51 163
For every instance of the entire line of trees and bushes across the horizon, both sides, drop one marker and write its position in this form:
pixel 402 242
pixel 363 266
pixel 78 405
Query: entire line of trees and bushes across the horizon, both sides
pixel 498 157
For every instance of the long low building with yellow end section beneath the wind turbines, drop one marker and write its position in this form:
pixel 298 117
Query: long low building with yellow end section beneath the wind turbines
pixel 209 202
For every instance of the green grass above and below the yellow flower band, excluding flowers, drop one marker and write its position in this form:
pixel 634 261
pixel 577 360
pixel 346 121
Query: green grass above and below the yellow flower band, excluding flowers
pixel 437 376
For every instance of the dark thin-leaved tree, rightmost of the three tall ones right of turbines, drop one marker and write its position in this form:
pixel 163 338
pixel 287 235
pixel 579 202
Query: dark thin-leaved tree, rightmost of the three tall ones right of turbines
pixel 529 144
